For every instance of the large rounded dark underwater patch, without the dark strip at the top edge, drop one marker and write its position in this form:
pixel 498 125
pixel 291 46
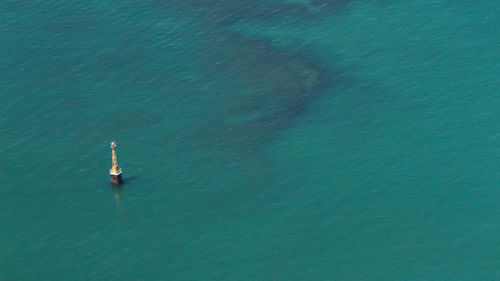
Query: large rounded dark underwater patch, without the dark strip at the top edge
pixel 272 87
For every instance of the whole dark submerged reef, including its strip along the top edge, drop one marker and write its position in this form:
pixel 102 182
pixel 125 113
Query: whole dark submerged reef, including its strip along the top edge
pixel 272 86
